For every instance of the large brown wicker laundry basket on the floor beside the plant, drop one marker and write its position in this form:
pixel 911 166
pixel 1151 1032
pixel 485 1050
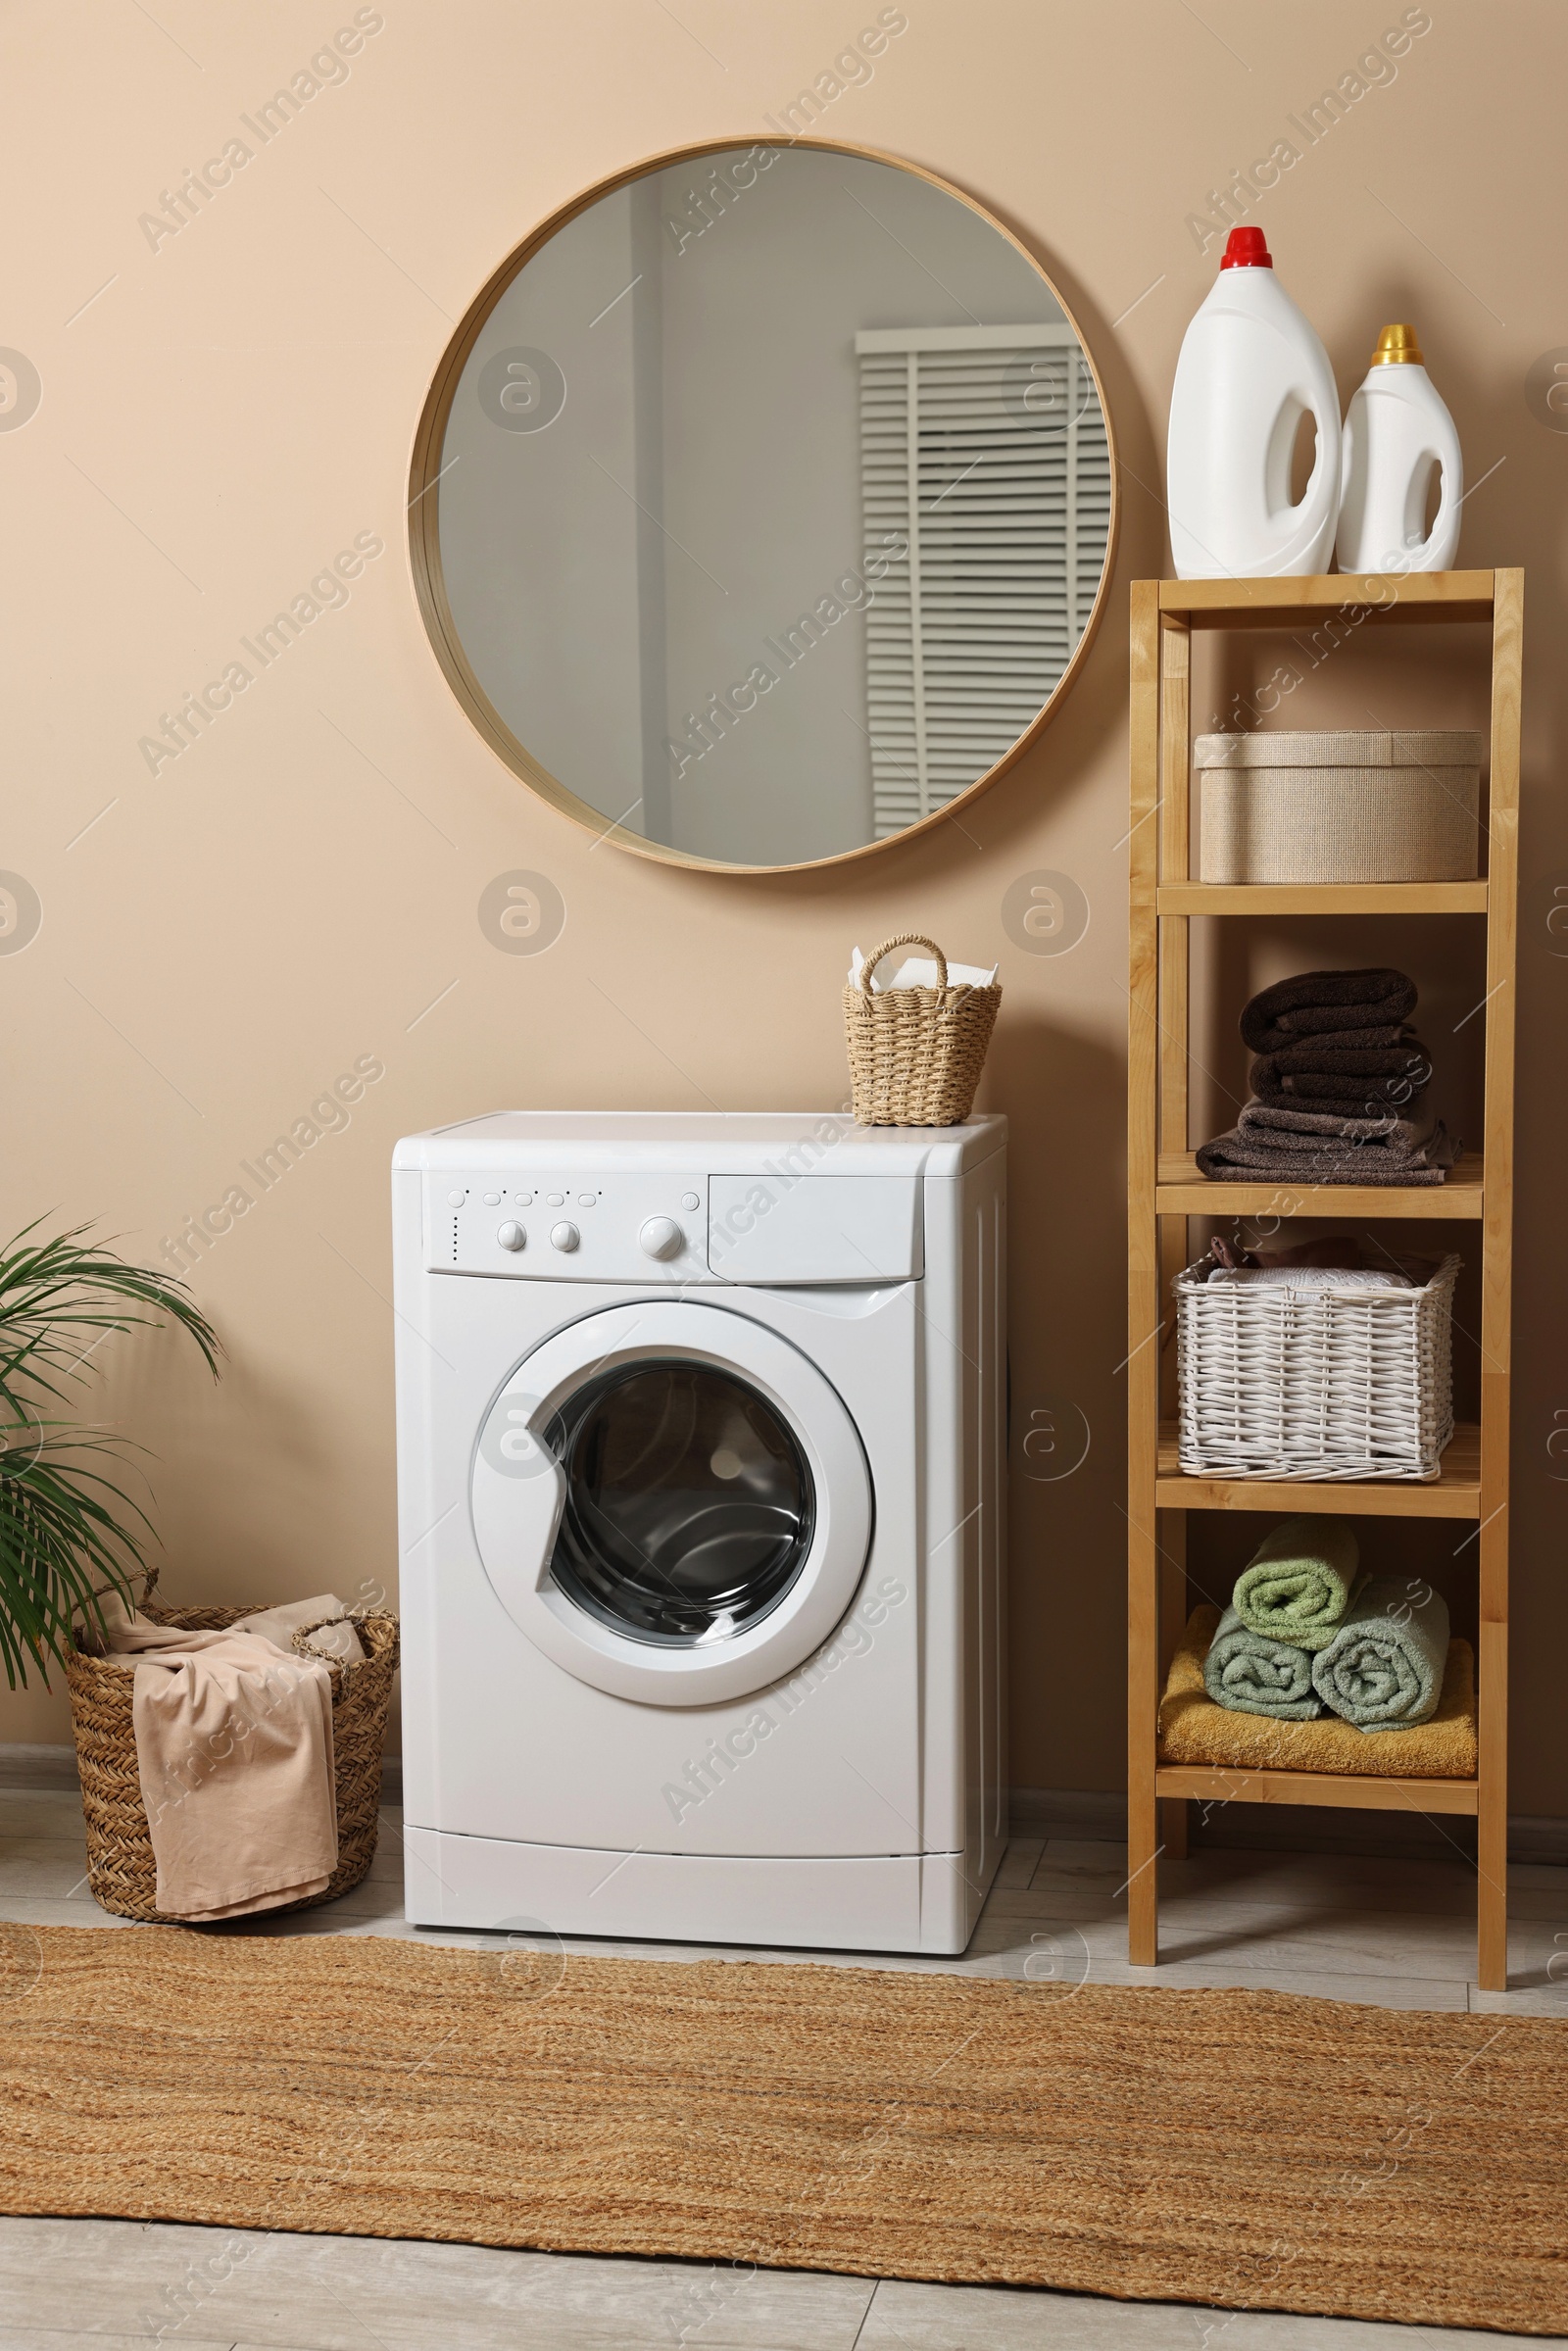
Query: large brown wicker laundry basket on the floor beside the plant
pixel 121 1868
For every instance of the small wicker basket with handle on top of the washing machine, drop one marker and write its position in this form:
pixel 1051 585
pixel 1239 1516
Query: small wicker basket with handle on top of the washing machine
pixel 916 1054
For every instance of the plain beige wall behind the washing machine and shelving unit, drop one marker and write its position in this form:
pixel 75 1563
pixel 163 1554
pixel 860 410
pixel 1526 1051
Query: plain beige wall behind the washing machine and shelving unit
pixel 300 888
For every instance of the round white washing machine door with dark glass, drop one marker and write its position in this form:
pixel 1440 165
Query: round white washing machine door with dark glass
pixel 671 1501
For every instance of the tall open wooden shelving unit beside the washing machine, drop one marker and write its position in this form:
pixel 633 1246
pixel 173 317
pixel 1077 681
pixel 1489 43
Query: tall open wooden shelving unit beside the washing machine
pixel 1167 1188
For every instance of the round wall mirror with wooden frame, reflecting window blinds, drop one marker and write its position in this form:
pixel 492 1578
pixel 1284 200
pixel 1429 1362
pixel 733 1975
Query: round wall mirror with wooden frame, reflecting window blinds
pixel 763 504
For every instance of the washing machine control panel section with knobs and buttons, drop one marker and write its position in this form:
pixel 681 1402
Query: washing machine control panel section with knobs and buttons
pixel 570 1226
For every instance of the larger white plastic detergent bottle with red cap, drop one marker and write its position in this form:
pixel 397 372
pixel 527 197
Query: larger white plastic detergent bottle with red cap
pixel 1249 370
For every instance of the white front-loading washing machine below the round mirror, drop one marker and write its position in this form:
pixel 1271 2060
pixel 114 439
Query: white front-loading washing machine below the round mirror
pixel 702 1522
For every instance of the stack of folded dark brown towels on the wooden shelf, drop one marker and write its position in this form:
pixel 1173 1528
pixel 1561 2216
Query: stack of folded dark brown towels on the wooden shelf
pixel 1336 1087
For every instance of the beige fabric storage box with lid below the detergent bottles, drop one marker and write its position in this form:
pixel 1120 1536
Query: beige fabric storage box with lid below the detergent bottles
pixel 1339 808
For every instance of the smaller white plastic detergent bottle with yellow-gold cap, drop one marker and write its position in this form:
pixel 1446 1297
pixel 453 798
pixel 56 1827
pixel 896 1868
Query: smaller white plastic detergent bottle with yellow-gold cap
pixel 1398 431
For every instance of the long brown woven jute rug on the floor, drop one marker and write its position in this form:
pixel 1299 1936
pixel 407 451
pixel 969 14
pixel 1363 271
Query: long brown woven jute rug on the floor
pixel 1235 2148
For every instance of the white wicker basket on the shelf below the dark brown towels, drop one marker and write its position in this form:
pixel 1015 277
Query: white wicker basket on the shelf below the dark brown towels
pixel 1313 1384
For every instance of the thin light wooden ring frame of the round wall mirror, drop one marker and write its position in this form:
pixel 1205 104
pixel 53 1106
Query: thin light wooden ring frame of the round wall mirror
pixel 427 551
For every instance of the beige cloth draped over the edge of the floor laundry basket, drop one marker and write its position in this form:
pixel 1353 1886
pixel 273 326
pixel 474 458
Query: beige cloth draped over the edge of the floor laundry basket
pixel 234 1750
